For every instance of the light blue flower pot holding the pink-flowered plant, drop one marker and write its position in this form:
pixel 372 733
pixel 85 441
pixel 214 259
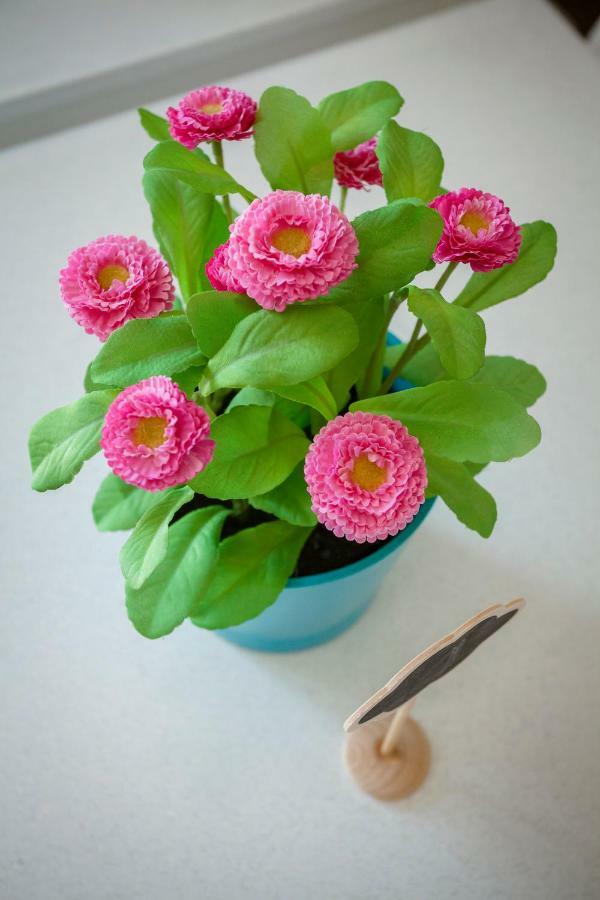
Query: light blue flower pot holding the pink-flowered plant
pixel 314 609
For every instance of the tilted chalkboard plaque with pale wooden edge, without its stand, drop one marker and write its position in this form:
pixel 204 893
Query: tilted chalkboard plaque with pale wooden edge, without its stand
pixel 433 663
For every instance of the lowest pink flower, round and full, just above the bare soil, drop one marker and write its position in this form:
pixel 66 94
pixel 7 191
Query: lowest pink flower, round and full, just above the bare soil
pixel 366 476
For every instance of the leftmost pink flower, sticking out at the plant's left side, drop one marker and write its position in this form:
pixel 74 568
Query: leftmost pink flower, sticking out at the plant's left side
pixel 112 280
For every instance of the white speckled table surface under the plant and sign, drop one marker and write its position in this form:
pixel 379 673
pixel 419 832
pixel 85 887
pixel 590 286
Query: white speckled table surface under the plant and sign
pixel 187 768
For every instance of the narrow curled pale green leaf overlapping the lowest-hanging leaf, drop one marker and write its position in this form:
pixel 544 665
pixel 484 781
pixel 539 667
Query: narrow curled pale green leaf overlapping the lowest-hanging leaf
pixel 147 545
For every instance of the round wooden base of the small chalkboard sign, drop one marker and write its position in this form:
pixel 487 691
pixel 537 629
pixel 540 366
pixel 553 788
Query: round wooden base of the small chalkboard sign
pixel 396 775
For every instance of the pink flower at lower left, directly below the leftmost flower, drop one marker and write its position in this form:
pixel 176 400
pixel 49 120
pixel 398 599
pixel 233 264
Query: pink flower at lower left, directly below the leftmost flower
pixel 154 437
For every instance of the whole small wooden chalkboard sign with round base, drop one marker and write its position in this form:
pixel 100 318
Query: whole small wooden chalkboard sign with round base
pixel 386 751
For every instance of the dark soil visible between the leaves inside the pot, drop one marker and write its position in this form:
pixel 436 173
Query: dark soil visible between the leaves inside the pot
pixel 322 552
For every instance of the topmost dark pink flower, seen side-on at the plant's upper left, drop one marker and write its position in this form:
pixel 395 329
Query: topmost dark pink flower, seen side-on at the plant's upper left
pixel 212 114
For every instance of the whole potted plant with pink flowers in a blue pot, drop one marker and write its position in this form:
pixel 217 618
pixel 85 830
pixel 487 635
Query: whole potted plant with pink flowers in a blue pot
pixel 271 445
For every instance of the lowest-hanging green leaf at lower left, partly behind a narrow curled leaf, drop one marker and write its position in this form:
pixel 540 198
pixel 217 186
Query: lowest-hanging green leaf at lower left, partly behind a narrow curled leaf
pixel 182 579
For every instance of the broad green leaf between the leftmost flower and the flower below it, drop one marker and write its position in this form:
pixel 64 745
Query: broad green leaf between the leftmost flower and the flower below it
pixel 144 347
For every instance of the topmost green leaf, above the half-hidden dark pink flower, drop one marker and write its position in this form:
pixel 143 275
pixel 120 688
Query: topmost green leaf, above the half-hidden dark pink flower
pixel 355 115
